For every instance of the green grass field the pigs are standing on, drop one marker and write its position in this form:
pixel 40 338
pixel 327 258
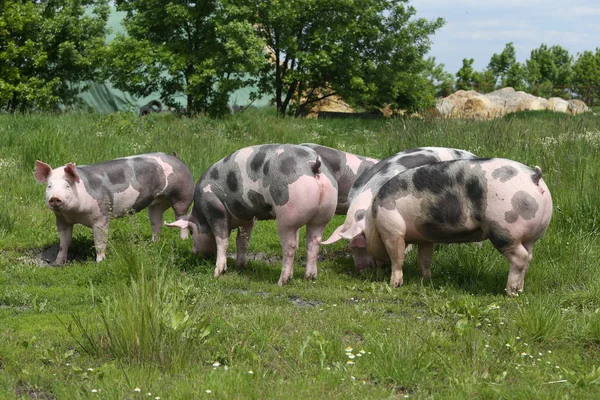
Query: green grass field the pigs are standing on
pixel 151 322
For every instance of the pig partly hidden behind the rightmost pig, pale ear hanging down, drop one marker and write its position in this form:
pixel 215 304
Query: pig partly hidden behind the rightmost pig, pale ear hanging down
pixel 369 182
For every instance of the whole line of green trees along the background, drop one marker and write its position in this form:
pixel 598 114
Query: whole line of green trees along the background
pixel 371 53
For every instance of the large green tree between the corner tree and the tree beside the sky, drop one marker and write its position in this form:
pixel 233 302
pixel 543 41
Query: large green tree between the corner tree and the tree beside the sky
pixel 204 50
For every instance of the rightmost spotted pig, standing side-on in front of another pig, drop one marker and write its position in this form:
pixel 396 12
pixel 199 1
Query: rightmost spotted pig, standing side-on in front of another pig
pixel 460 201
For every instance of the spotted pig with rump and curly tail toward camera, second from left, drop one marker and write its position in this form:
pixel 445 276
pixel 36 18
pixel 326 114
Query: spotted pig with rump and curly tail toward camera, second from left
pixel 285 182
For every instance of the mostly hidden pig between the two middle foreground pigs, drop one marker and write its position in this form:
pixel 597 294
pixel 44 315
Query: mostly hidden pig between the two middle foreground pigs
pixel 346 168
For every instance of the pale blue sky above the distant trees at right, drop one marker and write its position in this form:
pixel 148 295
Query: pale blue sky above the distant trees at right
pixel 479 28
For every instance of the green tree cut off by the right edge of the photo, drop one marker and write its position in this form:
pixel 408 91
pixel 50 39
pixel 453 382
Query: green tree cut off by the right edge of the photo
pixel 586 76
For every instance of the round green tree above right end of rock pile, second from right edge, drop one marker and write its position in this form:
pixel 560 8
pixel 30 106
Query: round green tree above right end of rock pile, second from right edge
pixel 549 67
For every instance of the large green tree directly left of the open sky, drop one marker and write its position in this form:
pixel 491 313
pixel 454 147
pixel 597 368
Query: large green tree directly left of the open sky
pixel 367 51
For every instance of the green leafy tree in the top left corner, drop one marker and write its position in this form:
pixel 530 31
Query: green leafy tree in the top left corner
pixel 47 49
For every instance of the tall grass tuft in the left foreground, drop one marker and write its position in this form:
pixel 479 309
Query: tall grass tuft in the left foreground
pixel 155 320
